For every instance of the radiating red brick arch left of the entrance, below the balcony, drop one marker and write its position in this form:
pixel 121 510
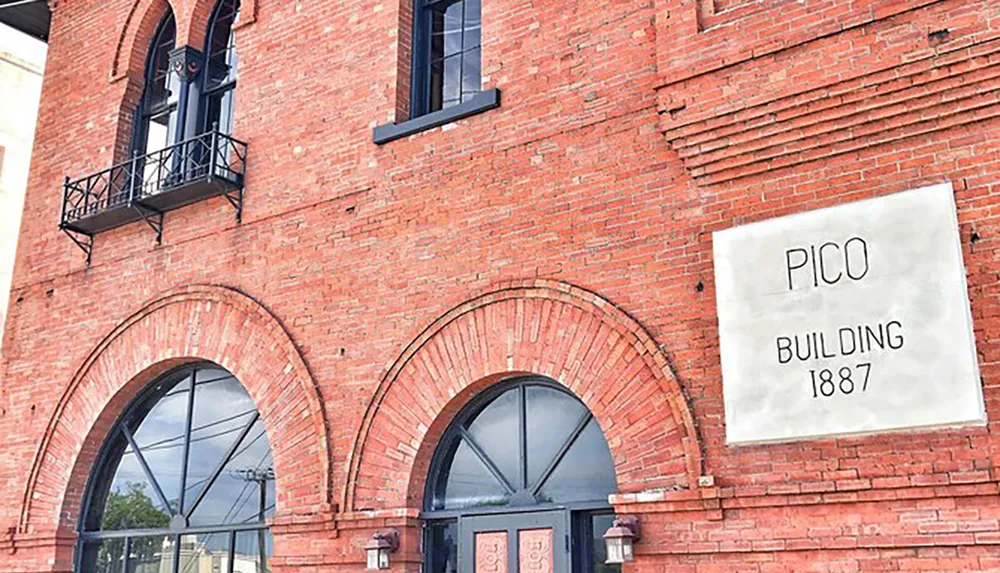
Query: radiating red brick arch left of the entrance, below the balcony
pixel 191 324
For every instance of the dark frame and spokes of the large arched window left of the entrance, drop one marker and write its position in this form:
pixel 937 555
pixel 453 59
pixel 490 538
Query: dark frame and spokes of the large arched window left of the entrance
pixel 137 409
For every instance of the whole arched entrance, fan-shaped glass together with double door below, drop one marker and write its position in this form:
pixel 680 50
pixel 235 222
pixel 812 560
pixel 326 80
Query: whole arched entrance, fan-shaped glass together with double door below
pixel 525 465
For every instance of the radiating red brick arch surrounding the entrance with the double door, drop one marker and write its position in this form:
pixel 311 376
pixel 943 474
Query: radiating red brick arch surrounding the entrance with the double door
pixel 538 327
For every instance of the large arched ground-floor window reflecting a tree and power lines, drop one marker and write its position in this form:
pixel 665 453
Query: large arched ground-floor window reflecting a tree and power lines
pixel 184 482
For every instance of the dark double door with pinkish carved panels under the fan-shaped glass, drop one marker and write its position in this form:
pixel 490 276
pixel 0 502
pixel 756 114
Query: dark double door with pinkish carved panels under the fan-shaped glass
pixel 515 543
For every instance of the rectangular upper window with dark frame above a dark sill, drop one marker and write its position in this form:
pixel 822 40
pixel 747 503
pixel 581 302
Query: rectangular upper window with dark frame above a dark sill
pixel 447 59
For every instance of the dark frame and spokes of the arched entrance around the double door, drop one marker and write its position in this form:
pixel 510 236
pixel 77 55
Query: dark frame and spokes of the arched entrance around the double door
pixel 577 513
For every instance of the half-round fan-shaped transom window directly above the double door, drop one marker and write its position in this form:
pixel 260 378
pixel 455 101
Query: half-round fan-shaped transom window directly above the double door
pixel 529 443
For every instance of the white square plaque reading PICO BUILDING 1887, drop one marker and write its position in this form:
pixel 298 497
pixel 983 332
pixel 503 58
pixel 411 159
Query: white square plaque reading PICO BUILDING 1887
pixel 847 320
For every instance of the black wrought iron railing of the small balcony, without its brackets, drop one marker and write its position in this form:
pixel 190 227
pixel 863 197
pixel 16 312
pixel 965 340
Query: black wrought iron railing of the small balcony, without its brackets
pixel 211 156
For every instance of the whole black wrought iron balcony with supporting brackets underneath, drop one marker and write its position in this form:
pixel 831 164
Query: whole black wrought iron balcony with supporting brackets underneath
pixel 147 186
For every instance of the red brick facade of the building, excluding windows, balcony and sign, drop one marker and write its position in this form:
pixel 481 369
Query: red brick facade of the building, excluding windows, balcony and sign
pixel 370 291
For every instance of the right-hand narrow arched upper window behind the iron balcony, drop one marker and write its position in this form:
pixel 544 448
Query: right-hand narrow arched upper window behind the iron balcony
pixel 220 71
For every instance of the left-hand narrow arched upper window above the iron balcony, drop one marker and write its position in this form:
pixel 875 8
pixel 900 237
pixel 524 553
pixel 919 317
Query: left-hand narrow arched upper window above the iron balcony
pixel 156 126
